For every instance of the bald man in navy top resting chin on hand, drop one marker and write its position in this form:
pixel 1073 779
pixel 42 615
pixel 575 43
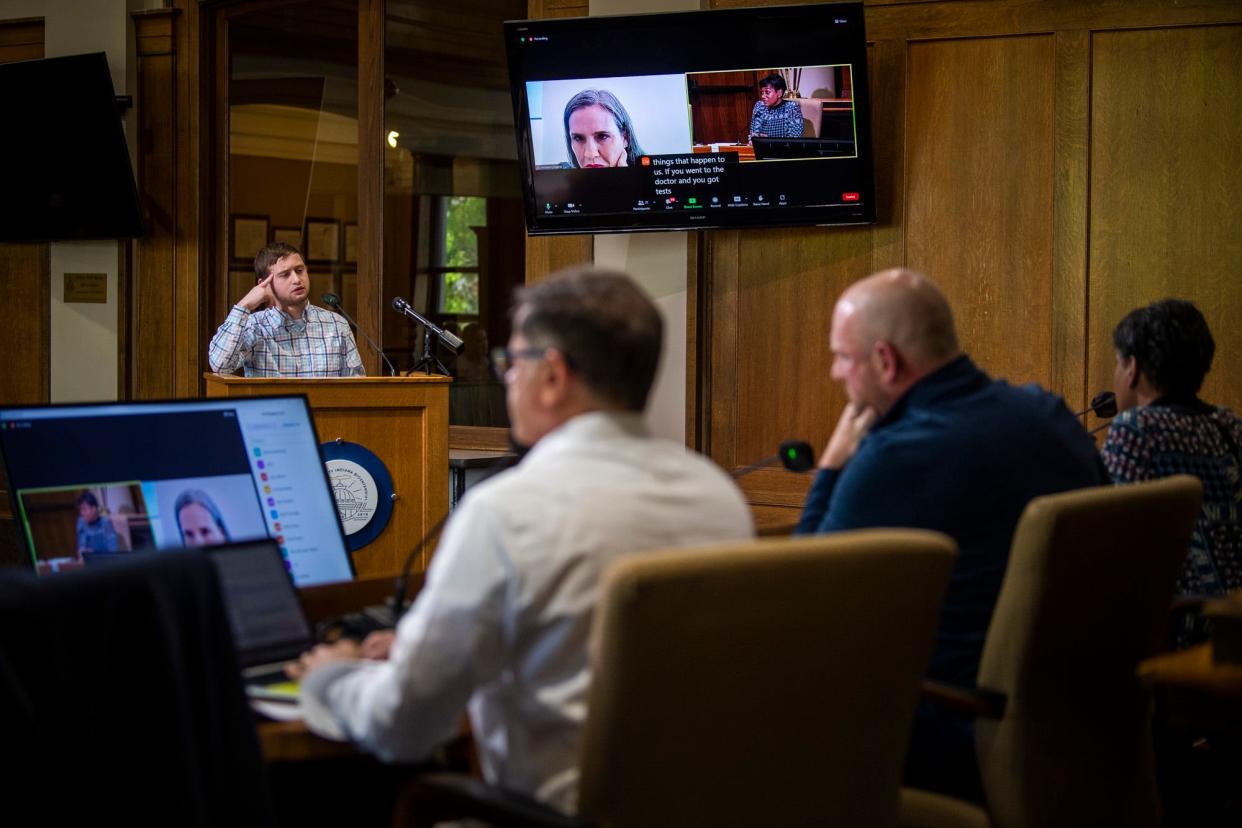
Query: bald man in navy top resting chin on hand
pixel 930 441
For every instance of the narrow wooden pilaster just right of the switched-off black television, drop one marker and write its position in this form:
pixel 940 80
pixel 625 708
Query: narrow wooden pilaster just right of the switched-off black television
pixel 153 312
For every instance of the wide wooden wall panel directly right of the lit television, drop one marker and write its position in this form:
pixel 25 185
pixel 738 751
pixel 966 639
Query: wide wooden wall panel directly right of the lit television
pixel 979 193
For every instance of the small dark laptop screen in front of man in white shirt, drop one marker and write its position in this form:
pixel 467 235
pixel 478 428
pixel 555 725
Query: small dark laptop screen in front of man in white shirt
pixel 266 618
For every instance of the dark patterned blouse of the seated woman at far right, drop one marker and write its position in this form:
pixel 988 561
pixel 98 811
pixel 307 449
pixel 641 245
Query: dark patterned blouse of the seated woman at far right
pixel 1166 439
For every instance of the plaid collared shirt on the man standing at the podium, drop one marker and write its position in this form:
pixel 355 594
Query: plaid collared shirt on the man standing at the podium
pixel 271 343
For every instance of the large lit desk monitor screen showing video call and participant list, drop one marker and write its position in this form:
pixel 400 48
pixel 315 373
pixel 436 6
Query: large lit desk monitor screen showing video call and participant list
pixel 91 481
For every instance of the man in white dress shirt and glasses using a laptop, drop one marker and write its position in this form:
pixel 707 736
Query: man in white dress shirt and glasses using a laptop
pixel 501 628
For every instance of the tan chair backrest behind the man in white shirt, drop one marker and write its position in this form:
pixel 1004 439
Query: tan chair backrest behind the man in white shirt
pixel 763 683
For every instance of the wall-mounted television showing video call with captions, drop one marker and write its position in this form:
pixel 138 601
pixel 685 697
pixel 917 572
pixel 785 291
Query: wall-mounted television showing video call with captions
pixel 687 121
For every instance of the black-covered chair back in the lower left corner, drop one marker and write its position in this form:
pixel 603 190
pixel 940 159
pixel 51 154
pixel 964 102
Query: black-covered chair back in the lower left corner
pixel 121 698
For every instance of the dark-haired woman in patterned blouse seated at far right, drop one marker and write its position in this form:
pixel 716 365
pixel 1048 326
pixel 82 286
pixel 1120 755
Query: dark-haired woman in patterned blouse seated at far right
pixel 1163 354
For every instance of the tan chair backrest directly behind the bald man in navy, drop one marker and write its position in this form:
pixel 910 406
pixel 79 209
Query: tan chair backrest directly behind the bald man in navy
pixel 1085 599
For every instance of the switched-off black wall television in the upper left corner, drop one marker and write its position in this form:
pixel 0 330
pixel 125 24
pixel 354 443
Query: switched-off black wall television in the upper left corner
pixel 68 174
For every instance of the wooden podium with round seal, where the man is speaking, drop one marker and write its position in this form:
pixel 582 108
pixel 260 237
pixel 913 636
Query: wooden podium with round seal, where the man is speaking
pixel 403 420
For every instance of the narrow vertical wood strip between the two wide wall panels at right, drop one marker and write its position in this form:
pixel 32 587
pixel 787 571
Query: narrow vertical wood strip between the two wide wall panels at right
pixel 1070 160
